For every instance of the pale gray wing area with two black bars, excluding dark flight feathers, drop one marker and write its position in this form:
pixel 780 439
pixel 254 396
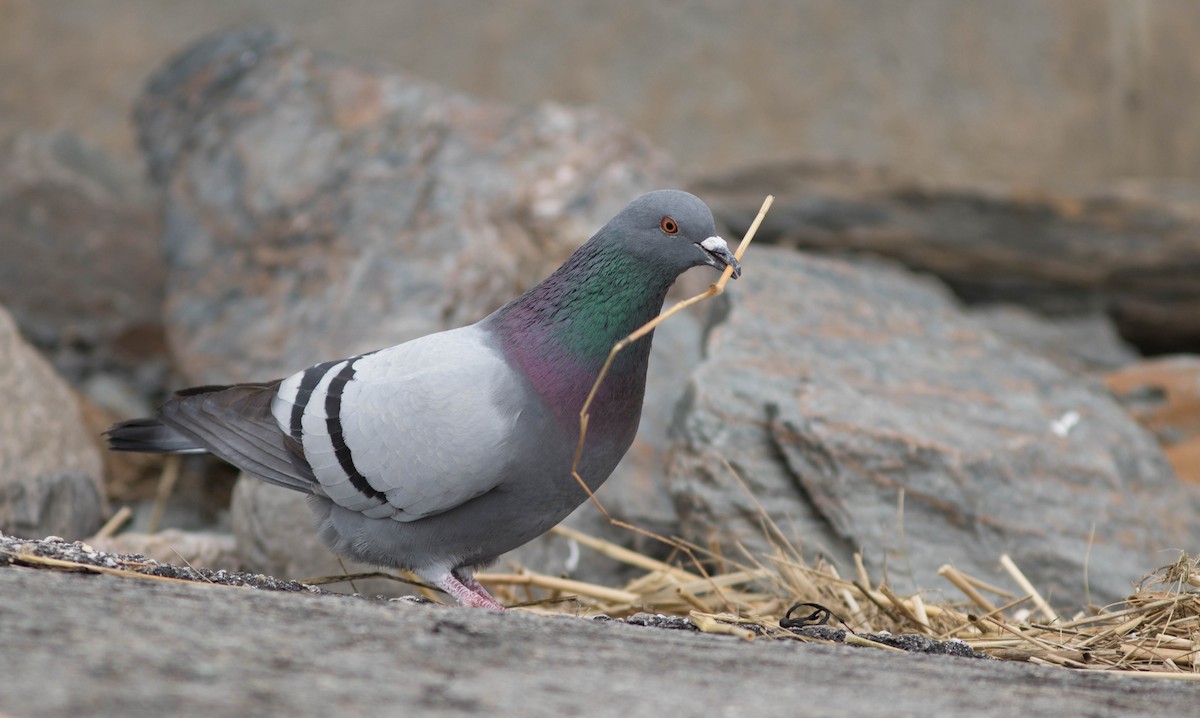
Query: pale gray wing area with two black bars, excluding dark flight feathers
pixel 409 432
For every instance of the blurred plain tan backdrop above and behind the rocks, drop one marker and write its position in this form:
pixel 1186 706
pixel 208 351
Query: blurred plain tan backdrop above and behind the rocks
pixel 1037 92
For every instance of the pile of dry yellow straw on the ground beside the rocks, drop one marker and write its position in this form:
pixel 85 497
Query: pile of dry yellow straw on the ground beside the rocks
pixel 1155 632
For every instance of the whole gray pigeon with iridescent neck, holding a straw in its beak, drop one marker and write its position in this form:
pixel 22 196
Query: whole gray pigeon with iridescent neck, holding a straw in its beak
pixel 442 453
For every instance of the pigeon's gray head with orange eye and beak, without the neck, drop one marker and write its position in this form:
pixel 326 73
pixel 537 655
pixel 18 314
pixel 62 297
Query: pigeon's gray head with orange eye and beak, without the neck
pixel 673 231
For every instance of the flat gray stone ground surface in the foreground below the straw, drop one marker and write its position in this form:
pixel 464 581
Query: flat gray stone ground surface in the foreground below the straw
pixel 93 645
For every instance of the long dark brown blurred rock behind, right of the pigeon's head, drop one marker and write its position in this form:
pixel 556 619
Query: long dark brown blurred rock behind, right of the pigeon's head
pixel 1073 252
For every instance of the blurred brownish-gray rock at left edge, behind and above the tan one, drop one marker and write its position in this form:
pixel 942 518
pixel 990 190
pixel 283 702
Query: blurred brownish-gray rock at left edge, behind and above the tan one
pixel 80 267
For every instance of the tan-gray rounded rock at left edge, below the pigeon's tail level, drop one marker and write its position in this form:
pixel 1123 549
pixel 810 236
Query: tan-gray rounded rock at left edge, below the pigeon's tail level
pixel 50 468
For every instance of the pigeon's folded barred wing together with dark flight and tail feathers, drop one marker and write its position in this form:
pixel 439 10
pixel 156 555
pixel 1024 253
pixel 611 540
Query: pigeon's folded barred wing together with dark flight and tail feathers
pixel 404 434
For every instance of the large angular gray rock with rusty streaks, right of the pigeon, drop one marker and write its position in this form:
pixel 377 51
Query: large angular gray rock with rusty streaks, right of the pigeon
pixel 866 412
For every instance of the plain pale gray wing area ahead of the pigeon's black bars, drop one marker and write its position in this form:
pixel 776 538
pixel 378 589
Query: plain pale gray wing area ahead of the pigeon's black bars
pixel 428 422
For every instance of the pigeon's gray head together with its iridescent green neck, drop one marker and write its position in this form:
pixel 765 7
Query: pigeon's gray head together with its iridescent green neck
pixel 561 332
